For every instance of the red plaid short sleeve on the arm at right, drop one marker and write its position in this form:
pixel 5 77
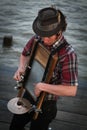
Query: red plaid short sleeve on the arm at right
pixel 70 70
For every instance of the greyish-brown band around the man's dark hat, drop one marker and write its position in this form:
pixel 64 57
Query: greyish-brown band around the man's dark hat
pixel 47 27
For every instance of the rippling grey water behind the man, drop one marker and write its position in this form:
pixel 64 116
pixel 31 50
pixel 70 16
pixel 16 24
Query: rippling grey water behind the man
pixel 16 17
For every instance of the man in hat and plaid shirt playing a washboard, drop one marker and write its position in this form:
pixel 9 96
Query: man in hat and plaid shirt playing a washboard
pixel 49 26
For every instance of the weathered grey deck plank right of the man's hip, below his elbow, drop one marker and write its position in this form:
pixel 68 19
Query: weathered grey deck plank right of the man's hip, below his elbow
pixel 76 104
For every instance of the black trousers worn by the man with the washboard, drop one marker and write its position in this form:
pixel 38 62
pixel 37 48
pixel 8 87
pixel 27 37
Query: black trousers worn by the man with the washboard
pixel 49 110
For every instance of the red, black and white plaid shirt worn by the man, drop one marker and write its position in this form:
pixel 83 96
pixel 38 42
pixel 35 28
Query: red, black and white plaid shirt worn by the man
pixel 66 71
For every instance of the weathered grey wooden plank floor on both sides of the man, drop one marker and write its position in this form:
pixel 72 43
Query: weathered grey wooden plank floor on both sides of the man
pixel 72 111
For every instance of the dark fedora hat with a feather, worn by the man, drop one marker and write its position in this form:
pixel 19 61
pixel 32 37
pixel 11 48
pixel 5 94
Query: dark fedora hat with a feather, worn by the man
pixel 47 23
